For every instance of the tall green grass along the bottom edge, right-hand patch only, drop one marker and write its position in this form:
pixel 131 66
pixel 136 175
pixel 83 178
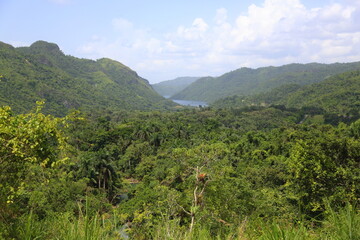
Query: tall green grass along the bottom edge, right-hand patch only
pixel 338 225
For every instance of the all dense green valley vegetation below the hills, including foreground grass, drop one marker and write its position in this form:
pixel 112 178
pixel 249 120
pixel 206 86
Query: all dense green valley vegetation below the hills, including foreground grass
pixel 251 173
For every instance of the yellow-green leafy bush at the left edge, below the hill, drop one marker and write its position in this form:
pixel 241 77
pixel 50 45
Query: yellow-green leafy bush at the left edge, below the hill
pixel 28 140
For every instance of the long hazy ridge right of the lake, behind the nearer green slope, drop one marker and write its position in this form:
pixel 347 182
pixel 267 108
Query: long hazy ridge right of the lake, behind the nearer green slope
pixel 246 81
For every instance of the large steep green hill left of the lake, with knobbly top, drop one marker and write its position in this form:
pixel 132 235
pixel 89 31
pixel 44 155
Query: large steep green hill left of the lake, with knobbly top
pixel 43 71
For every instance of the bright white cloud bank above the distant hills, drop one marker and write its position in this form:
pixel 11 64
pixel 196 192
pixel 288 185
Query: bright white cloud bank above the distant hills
pixel 274 33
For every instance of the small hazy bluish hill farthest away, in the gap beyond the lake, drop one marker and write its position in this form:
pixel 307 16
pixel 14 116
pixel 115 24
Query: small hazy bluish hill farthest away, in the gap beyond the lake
pixel 171 87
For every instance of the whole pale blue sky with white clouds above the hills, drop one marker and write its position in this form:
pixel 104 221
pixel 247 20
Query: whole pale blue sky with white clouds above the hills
pixel 165 39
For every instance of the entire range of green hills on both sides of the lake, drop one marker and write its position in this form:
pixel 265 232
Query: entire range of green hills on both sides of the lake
pixel 43 71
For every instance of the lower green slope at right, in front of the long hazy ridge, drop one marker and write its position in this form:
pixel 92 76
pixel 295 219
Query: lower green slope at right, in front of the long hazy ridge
pixel 339 94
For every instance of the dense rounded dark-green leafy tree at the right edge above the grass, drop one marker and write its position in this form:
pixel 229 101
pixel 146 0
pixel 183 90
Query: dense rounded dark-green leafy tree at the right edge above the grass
pixel 318 164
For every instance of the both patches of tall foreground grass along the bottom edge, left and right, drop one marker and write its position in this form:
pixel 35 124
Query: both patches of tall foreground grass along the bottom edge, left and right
pixel 343 224
